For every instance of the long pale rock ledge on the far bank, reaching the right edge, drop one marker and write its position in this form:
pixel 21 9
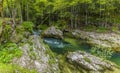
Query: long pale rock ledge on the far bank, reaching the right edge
pixel 105 40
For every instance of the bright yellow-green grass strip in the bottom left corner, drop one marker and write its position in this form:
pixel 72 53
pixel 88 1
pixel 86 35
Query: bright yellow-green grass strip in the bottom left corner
pixel 9 68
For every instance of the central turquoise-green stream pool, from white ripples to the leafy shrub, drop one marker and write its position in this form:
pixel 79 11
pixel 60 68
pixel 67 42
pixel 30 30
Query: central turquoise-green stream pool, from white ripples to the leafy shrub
pixel 59 46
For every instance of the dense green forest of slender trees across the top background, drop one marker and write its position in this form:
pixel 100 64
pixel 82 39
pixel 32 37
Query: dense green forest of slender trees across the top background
pixel 68 12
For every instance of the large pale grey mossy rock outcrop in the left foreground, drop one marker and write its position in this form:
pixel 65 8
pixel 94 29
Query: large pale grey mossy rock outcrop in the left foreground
pixel 35 57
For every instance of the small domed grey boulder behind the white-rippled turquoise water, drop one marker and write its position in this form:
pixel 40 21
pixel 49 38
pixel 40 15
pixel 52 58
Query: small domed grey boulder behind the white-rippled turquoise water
pixel 53 32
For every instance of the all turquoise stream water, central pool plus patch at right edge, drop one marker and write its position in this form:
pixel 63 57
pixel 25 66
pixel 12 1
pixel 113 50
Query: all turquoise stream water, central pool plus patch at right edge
pixel 60 47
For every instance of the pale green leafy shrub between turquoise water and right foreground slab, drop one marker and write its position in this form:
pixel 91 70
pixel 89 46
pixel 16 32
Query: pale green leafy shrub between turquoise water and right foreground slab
pixel 104 53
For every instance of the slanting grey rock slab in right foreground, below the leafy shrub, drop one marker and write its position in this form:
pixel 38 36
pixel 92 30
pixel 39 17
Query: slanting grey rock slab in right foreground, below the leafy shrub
pixel 89 62
